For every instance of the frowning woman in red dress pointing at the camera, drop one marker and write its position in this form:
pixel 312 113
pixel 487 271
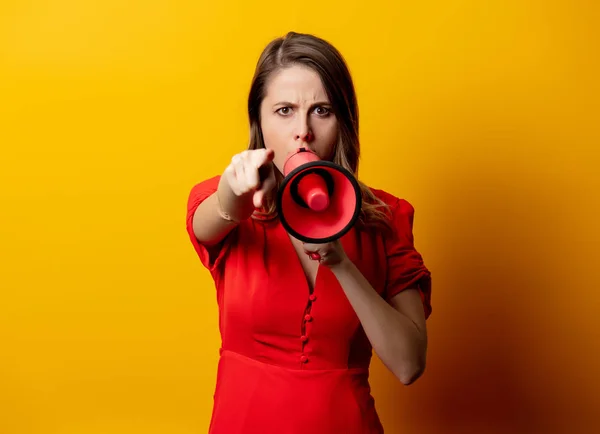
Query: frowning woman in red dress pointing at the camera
pixel 298 333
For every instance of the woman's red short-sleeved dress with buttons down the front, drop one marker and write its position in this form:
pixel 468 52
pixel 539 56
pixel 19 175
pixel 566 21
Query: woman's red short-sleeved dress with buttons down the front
pixel 294 361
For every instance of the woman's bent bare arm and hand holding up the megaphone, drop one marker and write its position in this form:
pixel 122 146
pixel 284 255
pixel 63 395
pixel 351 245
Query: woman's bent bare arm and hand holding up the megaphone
pixel 397 330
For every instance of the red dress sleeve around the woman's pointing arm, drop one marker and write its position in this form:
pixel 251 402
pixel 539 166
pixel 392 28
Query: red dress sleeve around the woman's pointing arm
pixel 210 256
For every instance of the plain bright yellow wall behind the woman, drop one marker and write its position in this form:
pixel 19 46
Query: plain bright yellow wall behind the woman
pixel 484 114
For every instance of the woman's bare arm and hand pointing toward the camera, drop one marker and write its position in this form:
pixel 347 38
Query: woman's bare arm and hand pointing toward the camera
pixel 242 188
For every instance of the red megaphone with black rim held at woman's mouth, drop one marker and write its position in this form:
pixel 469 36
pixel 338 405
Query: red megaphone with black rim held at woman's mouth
pixel 318 201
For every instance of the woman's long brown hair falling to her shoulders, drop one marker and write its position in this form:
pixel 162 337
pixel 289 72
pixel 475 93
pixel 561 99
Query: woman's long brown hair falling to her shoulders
pixel 319 55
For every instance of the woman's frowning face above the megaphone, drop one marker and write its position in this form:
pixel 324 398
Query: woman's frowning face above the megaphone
pixel 296 112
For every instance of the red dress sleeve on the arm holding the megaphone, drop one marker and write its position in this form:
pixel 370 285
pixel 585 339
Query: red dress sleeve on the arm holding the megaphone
pixel 406 268
